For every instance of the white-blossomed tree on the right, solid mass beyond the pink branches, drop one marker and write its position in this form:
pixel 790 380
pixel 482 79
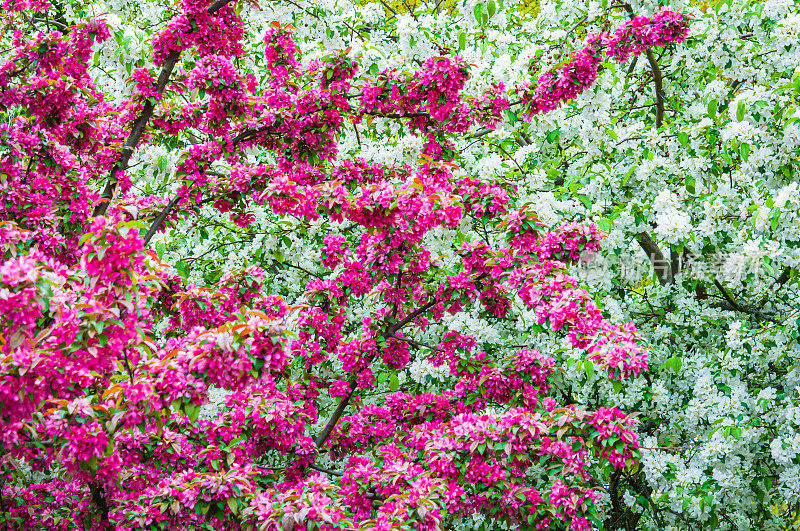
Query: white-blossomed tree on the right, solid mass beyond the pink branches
pixel 689 160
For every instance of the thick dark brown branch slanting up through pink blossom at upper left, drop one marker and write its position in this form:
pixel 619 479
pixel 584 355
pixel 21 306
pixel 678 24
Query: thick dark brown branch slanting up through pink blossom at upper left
pixel 141 123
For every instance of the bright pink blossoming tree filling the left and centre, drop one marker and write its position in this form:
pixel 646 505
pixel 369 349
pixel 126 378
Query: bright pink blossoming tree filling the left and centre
pixel 109 360
